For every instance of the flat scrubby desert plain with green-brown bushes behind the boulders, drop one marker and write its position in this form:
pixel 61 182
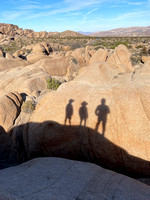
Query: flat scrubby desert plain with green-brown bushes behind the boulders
pixel 138 46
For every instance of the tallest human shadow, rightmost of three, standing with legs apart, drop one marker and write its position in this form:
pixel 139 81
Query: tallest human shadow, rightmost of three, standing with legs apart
pixel 101 111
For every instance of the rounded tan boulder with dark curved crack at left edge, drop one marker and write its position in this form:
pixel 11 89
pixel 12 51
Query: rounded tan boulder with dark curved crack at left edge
pixel 10 107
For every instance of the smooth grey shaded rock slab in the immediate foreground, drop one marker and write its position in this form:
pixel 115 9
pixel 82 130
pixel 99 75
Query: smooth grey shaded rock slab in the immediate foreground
pixel 63 179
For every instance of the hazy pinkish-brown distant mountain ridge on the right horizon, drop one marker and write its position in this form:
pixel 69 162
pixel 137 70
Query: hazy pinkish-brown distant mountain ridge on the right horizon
pixel 124 32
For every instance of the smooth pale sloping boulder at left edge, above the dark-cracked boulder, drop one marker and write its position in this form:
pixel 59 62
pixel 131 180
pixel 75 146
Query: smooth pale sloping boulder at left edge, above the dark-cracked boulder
pixel 30 80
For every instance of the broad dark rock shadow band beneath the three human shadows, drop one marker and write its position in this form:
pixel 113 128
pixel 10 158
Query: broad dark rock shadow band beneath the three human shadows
pixel 52 139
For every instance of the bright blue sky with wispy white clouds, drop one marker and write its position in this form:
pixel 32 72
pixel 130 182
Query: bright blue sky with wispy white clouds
pixel 75 15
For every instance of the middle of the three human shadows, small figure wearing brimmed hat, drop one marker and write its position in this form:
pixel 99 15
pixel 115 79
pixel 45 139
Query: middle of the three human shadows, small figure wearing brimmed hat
pixel 83 113
